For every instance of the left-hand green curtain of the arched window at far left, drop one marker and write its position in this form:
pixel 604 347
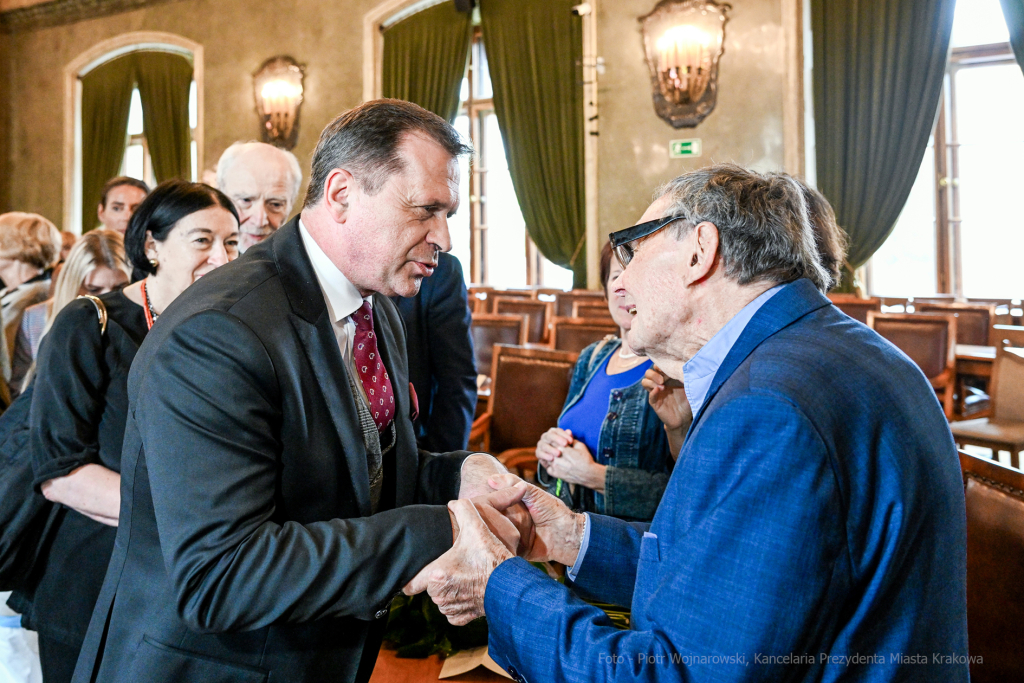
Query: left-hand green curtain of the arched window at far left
pixel 106 100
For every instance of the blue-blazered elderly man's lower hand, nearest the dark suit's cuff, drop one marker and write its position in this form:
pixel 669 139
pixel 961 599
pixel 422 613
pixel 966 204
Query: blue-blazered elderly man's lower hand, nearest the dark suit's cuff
pixel 457 581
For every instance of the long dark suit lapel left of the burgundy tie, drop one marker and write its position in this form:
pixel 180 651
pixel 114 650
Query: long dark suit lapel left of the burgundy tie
pixel 313 325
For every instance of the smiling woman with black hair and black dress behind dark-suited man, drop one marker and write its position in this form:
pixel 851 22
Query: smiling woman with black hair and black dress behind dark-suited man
pixel 180 233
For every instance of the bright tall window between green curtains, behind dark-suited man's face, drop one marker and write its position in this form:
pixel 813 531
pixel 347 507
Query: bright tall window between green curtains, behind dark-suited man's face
pixel 489 234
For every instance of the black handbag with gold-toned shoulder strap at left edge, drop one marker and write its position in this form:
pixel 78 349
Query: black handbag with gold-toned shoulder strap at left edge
pixel 27 519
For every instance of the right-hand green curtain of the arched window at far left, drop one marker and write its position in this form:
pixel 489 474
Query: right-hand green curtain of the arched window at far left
pixel 164 80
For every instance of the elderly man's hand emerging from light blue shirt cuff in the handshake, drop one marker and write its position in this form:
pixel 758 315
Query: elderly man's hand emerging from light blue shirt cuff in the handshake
pixel 557 532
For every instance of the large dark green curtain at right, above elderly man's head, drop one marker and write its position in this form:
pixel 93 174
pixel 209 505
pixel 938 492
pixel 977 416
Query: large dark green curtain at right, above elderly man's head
pixel 879 67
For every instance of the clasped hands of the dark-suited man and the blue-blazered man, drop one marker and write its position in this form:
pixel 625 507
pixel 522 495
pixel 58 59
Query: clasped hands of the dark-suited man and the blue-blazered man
pixel 517 519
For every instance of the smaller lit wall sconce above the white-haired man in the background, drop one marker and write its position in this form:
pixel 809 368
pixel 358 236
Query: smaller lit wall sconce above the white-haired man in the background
pixel 278 87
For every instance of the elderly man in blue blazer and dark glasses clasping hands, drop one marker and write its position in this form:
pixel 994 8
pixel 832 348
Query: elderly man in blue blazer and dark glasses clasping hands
pixel 814 527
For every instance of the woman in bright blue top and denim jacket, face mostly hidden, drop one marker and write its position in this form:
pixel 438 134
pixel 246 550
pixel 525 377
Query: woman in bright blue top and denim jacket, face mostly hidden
pixel 611 452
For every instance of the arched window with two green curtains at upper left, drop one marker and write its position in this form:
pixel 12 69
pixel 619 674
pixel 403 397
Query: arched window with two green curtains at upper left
pixel 134 107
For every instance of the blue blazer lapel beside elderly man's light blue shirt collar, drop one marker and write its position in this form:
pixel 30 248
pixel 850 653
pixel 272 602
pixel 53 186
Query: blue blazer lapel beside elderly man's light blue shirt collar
pixel 793 303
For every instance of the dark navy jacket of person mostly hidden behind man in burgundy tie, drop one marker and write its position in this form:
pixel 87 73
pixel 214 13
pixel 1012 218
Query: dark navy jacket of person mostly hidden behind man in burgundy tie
pixel 442 365
